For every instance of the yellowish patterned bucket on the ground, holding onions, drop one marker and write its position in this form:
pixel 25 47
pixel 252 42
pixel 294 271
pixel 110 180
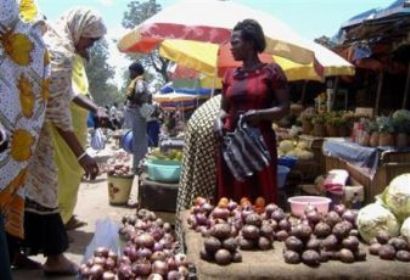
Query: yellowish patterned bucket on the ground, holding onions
pixel 119 189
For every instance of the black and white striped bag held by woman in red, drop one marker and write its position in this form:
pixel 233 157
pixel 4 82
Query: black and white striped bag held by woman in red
pixel 245 151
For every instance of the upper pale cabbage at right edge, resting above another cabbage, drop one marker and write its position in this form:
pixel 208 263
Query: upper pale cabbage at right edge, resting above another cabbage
pixel 397 196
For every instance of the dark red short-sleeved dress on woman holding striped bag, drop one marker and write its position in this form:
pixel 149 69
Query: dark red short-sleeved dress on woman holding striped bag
pixel 244 91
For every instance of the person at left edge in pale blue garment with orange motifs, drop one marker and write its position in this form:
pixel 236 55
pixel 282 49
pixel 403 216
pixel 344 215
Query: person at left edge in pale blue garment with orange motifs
pixel 24 86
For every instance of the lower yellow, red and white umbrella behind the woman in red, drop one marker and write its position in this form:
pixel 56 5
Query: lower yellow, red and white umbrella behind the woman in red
pixel 203 57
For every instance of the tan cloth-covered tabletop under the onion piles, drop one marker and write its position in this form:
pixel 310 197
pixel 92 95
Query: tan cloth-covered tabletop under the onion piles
pixel 270 265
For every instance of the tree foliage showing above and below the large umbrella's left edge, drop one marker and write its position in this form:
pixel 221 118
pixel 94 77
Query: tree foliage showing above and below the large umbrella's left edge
pixel 137 12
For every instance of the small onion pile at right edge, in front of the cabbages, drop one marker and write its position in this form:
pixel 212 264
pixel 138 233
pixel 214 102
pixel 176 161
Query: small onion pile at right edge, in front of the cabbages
pixel 390 248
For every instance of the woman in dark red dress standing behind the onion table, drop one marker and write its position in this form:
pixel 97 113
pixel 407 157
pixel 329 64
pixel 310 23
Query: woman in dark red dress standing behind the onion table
pixel 258 91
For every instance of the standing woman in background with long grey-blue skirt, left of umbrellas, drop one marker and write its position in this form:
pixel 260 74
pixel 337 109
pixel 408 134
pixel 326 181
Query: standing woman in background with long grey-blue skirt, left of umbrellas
pixel 135 117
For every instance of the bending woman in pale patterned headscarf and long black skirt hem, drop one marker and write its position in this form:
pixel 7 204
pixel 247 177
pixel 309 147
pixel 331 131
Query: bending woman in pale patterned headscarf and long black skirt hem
pixel 75 32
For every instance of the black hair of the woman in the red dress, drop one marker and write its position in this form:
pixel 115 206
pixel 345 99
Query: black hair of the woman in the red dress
pixel 252 31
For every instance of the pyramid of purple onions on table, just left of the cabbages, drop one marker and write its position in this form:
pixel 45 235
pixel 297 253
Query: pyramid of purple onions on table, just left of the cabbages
pixel 317 238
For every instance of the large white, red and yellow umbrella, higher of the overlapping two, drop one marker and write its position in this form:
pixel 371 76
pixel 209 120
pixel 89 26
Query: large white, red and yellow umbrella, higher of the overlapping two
pixel 211 21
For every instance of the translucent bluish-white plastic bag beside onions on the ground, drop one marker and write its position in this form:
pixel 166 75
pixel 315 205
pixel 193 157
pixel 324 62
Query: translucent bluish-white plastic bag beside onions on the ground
pixel 106 235
